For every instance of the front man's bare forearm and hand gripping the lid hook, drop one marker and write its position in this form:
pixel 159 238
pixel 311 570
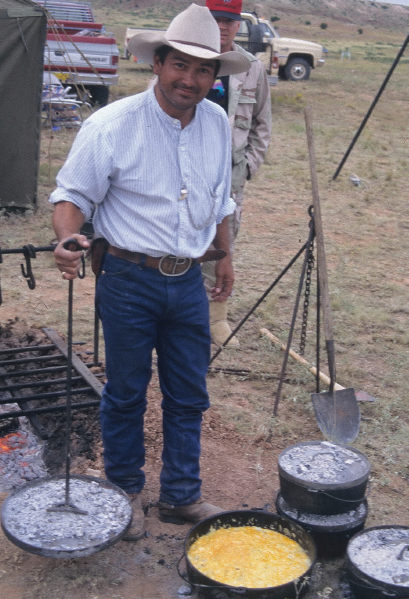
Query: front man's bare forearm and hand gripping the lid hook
pixel 67 222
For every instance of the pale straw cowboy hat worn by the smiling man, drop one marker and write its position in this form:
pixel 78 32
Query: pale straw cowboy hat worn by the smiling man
pixel 195 32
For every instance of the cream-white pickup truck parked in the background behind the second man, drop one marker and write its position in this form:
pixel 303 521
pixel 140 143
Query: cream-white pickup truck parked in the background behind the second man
pixel 294 58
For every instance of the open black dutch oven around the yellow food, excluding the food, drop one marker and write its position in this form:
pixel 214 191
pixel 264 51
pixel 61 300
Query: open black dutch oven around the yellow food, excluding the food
pixel 212 589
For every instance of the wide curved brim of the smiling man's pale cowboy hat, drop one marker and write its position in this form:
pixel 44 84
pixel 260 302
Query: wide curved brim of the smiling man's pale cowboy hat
pixel 143 46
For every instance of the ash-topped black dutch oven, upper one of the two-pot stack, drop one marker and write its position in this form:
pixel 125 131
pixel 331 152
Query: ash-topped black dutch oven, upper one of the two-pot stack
pixel 319 477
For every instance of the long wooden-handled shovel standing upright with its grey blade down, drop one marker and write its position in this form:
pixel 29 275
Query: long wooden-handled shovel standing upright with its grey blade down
pixel 337 411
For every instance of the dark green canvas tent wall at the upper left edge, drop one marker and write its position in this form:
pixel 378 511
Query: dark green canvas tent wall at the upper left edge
pixel 23 27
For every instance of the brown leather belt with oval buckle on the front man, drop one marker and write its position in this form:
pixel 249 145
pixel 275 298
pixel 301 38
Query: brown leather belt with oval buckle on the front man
pixel 171 266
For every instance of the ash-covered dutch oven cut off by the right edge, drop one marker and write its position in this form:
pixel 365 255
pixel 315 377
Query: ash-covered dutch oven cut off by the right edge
pixel 377 563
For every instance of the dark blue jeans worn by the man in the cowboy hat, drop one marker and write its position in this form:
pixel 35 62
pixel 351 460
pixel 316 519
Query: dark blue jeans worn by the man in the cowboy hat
pixel 140 310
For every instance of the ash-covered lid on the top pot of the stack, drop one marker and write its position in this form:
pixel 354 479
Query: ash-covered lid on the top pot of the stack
pixel 325 463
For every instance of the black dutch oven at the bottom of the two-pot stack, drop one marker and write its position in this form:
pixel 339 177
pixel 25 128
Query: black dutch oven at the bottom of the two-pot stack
pixel 331 533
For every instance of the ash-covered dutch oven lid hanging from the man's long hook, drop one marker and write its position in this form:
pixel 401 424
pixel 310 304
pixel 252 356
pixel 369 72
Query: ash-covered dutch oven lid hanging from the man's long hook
pixel 27 521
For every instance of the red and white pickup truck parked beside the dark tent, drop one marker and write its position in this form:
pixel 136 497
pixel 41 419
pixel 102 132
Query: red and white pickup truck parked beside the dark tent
pixel 78 50
